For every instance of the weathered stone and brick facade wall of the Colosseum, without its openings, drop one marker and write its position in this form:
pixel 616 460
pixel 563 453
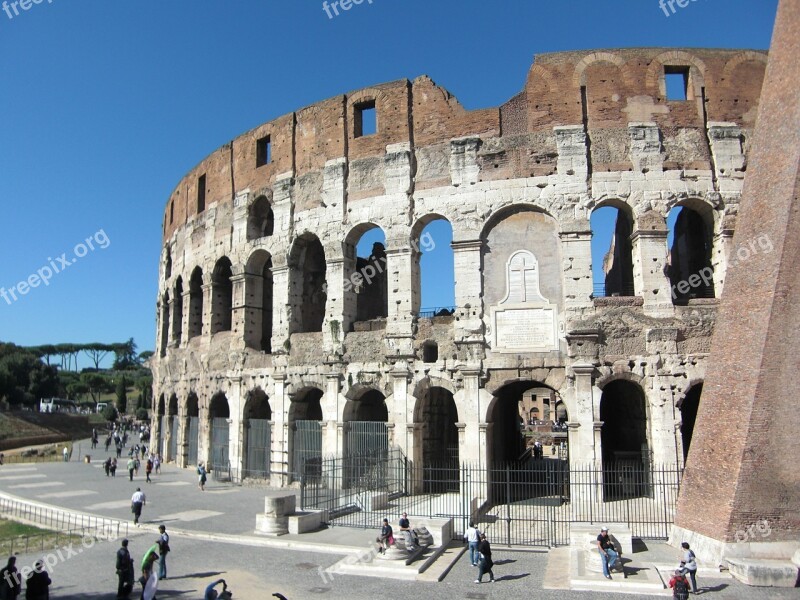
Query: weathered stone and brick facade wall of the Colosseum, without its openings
pixel 589 129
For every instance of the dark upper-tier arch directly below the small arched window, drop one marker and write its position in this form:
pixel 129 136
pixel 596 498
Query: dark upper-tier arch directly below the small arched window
pixel 258 292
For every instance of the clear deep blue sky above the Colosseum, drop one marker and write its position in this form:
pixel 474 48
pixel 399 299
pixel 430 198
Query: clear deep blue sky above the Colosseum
pixel 106 105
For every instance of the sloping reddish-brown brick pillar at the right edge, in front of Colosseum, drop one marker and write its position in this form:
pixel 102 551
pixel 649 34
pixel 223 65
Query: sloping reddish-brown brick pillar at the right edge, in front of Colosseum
pixel 742 464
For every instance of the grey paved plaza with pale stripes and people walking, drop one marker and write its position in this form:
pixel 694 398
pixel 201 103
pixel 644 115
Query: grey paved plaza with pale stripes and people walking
pixel 212 538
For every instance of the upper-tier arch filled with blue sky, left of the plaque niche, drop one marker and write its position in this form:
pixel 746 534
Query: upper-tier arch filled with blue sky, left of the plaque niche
pixel 433 277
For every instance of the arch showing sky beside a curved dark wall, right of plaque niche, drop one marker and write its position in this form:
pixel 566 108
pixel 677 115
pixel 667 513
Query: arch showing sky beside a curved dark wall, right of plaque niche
pixel 612 251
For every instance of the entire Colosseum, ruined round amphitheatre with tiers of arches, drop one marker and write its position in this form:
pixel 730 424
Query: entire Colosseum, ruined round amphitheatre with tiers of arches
pixel 283 346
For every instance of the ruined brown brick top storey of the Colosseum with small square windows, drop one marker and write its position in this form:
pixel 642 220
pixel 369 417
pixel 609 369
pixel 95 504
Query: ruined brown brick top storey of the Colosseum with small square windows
pixel 604 90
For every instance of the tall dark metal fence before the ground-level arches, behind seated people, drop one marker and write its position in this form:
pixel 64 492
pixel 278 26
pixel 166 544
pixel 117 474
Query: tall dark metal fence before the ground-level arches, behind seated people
pixel 529 503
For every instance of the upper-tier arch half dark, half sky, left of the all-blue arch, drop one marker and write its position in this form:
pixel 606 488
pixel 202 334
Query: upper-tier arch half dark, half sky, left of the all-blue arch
pixel 366 287
